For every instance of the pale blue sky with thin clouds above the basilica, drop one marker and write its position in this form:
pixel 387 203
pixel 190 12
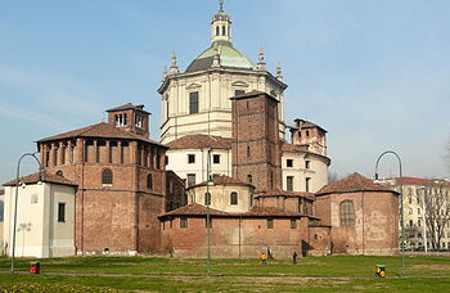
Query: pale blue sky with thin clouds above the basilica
pixel 374 73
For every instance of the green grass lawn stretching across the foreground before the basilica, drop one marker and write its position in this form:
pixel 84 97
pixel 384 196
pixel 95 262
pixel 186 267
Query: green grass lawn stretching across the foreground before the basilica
pixel 311 274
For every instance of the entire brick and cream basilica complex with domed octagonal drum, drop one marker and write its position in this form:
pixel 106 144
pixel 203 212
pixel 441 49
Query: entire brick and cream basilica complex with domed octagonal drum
pixel 228 174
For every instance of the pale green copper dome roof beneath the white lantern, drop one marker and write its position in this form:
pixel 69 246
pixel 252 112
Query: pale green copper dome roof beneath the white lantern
pixel 228 55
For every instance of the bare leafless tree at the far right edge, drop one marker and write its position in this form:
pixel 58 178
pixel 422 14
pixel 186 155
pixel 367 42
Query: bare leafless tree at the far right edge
pixel 436 201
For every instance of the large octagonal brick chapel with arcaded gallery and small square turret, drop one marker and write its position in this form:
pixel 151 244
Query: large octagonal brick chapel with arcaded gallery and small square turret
pixel 118 216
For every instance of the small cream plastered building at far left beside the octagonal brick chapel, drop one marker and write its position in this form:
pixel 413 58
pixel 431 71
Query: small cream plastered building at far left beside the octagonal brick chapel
pixel 45 216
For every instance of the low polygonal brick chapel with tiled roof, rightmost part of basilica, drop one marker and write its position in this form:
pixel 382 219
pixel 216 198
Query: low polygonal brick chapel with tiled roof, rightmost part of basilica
pixel 363 216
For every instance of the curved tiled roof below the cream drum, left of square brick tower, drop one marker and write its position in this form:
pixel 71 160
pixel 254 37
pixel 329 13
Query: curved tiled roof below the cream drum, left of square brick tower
pixel 200 141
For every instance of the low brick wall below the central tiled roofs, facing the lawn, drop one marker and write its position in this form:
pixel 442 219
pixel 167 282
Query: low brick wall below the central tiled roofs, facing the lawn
pixel 234 237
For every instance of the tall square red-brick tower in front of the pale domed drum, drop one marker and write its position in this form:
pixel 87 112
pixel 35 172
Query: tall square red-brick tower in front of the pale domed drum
pixel 256 146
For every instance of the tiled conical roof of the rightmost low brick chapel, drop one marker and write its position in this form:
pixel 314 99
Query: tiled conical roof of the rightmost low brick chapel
pixel 352 183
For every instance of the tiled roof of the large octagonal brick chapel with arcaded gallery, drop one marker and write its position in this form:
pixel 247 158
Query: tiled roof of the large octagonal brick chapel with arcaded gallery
pixel 100 130
